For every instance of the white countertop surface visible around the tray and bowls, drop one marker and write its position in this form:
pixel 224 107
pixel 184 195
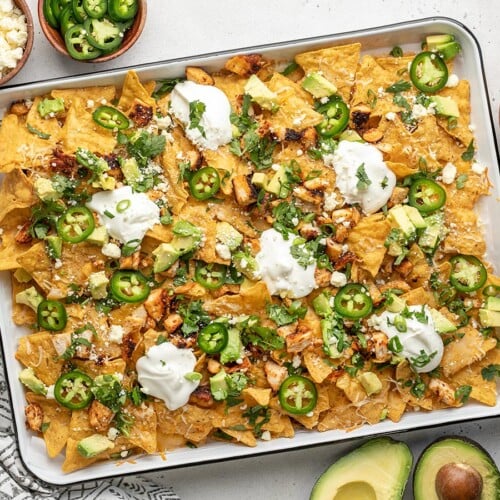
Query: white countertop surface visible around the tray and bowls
pixel 189 27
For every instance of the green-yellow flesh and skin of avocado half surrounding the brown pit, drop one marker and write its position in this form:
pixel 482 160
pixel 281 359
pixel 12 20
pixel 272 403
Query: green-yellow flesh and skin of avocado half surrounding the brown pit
pixel 454 450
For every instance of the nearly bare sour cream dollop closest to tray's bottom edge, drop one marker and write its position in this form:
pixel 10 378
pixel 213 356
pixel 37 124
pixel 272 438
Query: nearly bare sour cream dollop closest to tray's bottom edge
pixel 161 372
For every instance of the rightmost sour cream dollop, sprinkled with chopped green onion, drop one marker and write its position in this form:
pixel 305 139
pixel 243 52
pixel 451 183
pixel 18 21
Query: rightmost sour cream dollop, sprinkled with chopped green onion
pixel 422 345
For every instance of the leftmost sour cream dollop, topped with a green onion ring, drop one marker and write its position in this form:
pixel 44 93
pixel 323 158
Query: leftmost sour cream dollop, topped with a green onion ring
pixel 126 215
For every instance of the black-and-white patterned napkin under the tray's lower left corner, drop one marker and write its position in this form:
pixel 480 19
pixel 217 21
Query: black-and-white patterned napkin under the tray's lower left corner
pixel 16 483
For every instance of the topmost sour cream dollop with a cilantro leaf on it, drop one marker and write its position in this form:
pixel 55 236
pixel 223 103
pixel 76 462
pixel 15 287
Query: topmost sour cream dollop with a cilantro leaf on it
pixel 214 126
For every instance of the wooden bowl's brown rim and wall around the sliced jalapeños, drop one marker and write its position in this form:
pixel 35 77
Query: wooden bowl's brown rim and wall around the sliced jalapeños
pixel 131 36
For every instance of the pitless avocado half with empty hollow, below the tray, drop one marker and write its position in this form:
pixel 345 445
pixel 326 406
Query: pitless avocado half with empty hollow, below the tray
pixel 377 470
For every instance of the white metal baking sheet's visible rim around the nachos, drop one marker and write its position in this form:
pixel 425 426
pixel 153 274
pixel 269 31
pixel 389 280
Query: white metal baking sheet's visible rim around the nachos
pixel 378 41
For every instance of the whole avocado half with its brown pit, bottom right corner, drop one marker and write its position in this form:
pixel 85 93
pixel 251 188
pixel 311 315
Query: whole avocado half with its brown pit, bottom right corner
pixel 432 472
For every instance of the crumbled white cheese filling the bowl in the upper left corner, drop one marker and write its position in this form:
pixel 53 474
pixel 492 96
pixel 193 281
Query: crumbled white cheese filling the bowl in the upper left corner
pixel 13 36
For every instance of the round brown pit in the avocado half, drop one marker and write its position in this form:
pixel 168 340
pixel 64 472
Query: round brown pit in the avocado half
pixel 458 481
